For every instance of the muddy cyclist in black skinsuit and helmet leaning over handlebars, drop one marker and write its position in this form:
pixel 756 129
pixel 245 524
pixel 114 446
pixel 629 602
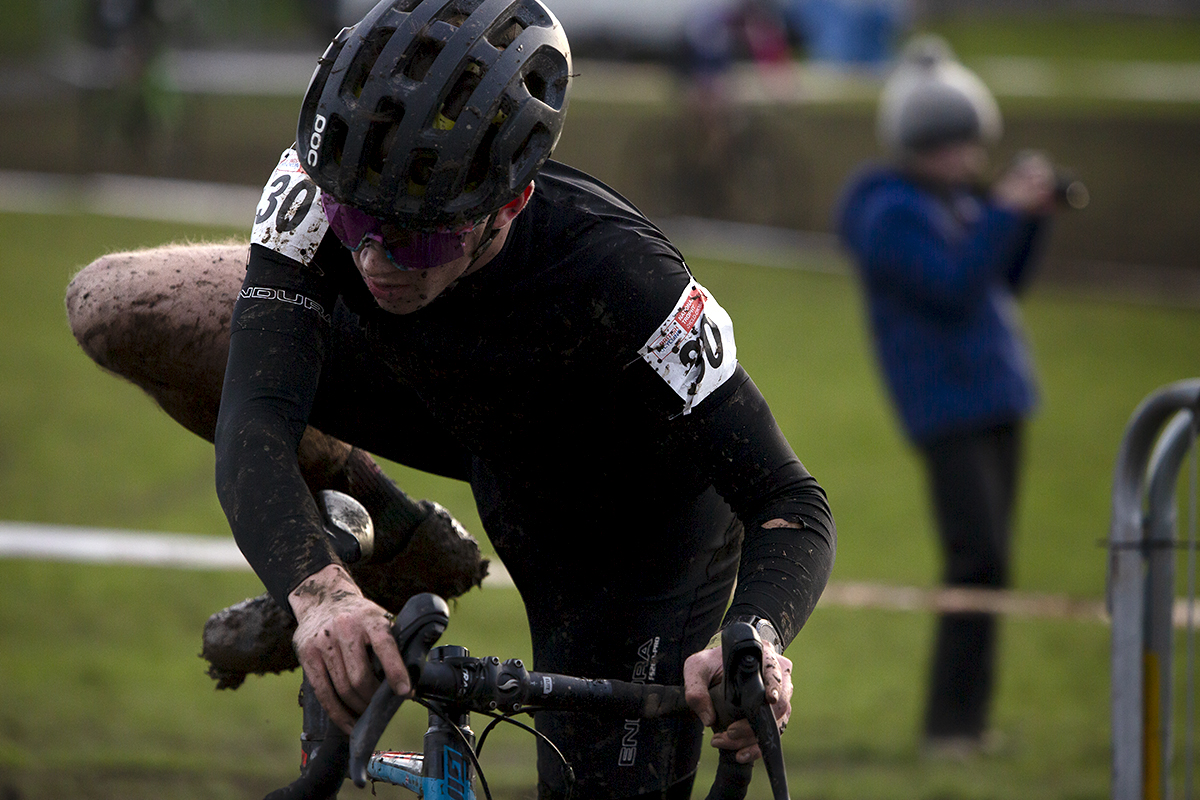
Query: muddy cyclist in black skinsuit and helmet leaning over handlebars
pixel 425 285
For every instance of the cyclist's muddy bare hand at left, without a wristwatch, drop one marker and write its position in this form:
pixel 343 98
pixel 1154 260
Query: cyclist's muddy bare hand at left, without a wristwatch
pixel 338 629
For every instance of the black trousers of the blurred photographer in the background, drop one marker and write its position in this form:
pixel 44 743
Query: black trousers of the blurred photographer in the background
pixel 973 478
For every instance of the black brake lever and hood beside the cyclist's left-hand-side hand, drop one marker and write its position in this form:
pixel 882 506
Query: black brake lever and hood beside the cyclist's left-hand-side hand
pixel 417 629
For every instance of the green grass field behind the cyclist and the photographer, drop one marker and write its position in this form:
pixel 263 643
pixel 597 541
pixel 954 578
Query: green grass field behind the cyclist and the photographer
pixel 103 694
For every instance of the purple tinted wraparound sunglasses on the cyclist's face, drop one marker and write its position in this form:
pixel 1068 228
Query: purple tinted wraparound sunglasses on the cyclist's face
pixel 407 250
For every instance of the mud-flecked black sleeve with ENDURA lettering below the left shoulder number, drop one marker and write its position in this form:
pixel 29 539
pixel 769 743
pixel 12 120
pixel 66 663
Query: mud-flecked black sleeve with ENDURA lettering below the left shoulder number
pixel 280 332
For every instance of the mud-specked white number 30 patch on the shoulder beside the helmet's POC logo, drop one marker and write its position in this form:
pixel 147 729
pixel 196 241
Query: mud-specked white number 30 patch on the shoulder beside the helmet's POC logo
pixel 289 219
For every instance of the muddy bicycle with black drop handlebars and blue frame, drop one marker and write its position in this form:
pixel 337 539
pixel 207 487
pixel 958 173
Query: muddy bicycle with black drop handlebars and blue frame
pixel 453 685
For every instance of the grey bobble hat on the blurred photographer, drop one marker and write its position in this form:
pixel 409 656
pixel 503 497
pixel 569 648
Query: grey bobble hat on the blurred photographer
pixel 931 99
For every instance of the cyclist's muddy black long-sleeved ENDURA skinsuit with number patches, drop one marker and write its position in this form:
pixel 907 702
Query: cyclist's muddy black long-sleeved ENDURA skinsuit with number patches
pixel 619 515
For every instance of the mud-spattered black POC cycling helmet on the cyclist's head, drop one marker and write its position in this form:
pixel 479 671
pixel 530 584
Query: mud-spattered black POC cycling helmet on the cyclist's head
pixel 436 113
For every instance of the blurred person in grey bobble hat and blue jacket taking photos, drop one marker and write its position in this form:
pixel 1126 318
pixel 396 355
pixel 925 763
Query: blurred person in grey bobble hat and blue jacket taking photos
pixel 941 258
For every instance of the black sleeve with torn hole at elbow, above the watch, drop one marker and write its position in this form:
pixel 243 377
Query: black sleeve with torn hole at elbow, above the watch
pixel 783 570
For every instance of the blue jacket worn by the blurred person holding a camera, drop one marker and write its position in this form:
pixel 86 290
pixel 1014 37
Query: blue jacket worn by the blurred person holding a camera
pixel 940 274
